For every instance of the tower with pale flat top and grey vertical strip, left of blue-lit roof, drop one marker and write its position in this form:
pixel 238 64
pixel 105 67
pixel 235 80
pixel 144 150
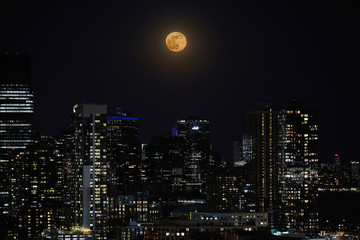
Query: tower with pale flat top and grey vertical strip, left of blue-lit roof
pixel 90 168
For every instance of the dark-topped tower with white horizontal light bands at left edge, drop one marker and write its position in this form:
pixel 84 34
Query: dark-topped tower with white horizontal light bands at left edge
pixel 16 101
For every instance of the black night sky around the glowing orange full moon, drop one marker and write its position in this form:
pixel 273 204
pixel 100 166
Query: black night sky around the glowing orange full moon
pixel 238 54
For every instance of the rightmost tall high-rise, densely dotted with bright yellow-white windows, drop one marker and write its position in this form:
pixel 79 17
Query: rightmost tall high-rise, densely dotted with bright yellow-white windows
pixel 298 160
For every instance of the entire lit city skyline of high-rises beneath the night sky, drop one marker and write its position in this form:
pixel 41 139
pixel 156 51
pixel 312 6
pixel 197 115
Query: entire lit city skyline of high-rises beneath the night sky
pixel 98 181
